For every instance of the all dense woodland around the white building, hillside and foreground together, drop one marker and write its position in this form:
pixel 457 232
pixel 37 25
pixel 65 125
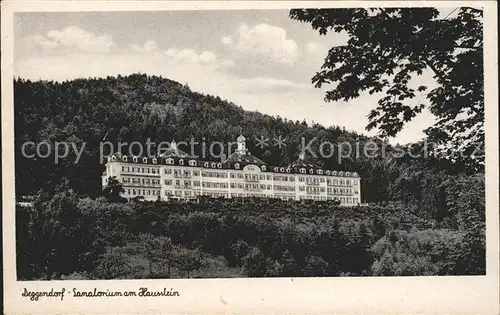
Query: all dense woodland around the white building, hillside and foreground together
pixel 425 215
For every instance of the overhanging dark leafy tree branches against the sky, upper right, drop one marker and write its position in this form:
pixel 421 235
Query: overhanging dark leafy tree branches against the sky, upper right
pixel 387 48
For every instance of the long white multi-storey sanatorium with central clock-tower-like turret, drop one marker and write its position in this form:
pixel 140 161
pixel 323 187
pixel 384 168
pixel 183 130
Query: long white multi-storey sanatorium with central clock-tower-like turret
pixel 176 174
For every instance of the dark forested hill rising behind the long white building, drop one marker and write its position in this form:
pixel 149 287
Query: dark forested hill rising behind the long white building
pixel 138 107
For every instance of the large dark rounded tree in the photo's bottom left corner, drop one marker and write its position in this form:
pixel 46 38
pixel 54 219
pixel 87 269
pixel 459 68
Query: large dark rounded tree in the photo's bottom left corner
pixel 61 238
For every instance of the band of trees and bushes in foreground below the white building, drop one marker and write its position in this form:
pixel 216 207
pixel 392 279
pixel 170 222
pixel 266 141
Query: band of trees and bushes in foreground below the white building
pixel 94 238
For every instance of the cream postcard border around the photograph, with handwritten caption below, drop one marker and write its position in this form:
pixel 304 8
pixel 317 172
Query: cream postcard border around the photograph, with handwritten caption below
pixel 372 295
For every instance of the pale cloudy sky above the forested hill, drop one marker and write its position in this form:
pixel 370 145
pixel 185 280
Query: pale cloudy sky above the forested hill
pixel 259 59
